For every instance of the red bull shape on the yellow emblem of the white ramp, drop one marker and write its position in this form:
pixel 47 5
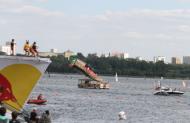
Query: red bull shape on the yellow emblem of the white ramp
pixel 6 92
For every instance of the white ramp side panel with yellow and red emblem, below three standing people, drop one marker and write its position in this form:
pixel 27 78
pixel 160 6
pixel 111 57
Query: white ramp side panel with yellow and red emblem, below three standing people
pixel 18 76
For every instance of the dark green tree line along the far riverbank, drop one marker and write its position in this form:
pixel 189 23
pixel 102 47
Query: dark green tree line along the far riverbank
pixel 125 67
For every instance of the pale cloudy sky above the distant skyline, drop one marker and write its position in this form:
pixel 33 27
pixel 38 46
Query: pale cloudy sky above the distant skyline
pixel 145 28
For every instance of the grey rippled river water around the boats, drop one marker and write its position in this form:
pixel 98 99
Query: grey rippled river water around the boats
pixel 70 104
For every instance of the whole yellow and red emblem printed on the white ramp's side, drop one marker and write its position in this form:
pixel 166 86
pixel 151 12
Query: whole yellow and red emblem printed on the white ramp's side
pixel 16 83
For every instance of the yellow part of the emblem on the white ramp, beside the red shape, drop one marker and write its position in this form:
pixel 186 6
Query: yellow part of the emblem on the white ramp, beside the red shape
pixel 22 78
